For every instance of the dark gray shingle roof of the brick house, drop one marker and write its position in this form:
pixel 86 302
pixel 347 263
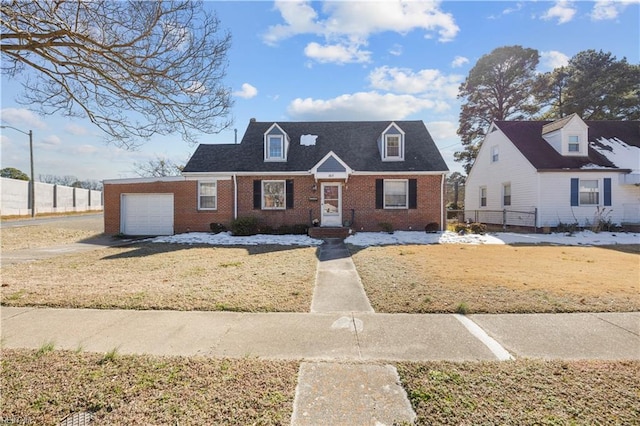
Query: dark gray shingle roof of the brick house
pixel 355 142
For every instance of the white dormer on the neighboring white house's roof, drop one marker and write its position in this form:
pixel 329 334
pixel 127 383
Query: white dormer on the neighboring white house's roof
pixel 569 136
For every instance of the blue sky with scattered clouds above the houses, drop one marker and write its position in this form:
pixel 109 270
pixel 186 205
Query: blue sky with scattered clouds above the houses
pixel 348 60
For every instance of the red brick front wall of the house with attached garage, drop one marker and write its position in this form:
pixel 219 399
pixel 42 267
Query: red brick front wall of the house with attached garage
pixel 358 194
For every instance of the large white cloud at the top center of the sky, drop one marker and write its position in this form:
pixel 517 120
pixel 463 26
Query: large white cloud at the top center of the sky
pixel 346 25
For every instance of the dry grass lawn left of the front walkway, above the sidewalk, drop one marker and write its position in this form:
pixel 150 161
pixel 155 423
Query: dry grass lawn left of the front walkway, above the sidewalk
pixel 168 276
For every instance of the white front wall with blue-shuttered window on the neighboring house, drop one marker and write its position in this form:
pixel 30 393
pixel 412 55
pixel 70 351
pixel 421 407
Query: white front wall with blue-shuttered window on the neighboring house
pixel 556 206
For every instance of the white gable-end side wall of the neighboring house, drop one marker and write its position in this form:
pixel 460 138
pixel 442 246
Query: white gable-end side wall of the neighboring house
pixel 511 167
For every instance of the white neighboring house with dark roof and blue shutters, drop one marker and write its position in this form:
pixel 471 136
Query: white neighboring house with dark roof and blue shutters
pixel 566 171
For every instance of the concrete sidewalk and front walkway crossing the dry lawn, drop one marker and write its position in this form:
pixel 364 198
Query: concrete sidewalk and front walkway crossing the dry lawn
pixel 345 378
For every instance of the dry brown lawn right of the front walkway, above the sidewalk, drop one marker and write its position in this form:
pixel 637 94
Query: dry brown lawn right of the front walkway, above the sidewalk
pixel 499 279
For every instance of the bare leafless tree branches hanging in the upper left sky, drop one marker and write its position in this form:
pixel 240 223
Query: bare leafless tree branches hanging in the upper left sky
pixel 135 69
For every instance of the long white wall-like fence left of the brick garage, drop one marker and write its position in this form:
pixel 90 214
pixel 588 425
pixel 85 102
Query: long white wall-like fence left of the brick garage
pixel 49 198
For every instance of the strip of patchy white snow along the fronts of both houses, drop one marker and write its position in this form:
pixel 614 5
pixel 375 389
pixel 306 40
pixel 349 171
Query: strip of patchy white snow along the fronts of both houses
pixel 586 238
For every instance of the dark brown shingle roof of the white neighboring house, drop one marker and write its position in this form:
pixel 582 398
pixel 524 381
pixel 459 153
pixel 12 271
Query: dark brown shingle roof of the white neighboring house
pixel 527 137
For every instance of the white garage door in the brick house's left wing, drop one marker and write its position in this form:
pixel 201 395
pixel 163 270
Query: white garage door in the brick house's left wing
pixel 147 214
